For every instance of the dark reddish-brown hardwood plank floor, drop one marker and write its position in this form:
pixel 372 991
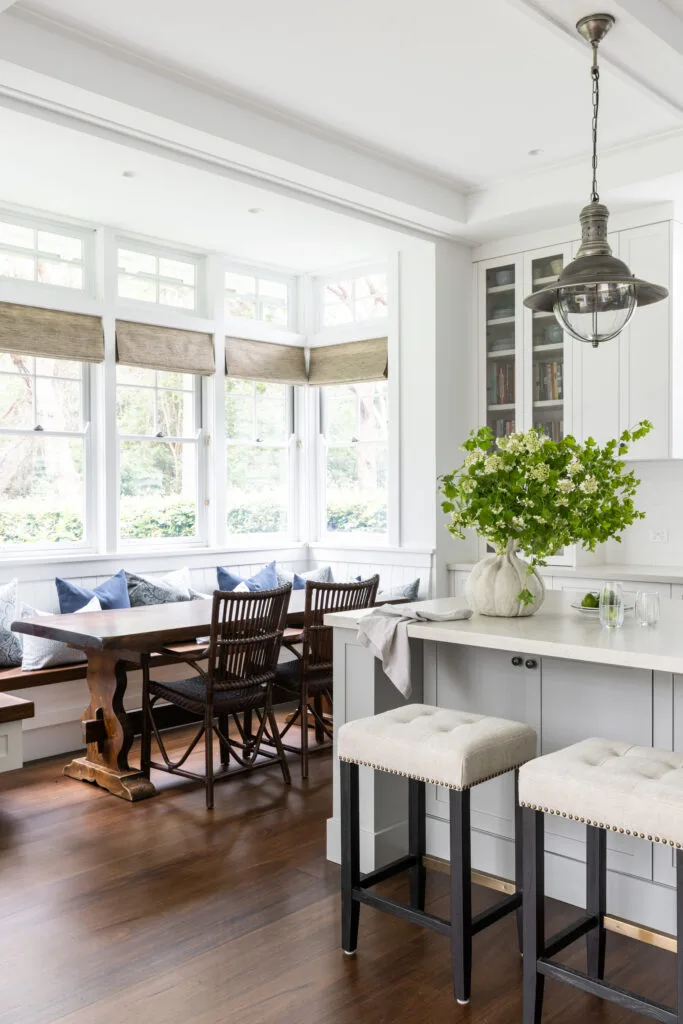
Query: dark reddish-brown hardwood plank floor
pixel 163 913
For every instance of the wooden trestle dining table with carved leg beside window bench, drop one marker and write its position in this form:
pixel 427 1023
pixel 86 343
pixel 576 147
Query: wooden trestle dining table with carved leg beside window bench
pixel 113 643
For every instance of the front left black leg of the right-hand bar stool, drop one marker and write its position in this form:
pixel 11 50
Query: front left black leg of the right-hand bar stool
pixel 534 910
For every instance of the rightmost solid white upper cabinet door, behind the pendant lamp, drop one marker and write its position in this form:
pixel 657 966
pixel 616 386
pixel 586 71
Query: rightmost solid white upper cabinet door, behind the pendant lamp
pixel 647 344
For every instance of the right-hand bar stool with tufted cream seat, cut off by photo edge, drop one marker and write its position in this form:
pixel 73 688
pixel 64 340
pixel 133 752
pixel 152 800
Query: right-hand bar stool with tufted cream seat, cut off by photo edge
pixel 610 787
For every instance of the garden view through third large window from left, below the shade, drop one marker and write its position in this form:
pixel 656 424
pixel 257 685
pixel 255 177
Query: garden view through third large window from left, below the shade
pixel 259 432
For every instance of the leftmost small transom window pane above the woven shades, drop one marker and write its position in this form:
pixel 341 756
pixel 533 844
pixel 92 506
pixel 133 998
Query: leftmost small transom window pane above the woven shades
pixel 45 257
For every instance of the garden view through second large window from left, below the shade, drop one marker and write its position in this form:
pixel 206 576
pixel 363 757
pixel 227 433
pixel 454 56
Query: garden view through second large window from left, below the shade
pixel 159 420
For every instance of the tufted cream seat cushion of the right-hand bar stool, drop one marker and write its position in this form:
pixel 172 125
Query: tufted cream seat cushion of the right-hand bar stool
pixel 637 791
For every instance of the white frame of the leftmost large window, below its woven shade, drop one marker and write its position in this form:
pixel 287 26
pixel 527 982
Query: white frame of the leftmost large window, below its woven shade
pixel 87 545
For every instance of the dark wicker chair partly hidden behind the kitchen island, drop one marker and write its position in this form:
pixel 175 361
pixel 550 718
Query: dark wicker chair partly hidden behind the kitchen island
pixel 309 678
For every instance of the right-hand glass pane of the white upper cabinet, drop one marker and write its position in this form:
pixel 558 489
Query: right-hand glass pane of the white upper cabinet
pixel 548 361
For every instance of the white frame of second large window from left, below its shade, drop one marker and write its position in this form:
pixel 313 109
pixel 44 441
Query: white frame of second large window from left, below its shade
pixel 201 440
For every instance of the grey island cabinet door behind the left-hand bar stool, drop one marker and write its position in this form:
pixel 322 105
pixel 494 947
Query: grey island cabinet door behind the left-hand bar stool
pixel 486 682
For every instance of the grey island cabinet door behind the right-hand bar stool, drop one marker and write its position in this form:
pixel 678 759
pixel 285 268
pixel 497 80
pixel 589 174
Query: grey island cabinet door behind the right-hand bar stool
pixel 580 701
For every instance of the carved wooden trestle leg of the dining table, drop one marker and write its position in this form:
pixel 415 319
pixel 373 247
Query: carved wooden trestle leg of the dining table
pixel 107 733
